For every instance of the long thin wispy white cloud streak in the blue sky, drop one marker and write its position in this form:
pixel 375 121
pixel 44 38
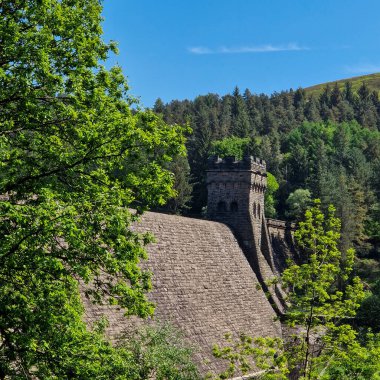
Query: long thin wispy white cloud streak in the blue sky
pixel 246 49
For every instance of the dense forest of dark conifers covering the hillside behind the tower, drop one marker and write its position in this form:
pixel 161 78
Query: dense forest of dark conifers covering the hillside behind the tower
pixel 335 161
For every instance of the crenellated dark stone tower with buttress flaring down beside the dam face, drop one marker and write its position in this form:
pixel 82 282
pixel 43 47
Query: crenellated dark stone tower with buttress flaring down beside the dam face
pixel 236 197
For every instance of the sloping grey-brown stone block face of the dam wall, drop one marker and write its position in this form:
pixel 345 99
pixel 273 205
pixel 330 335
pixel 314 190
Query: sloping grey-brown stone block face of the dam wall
pixel 202 284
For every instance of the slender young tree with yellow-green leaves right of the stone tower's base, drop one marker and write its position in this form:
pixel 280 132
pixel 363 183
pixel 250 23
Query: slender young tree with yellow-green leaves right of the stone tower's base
pixel 321 292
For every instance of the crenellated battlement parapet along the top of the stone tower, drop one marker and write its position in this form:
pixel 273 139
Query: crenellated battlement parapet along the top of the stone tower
pixel 230 163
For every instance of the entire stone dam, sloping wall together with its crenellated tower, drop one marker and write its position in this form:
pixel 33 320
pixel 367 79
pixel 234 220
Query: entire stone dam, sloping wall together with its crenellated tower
pixel 209 275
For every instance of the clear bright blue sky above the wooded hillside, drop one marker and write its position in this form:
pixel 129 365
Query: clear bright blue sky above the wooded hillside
pixel 176 49
